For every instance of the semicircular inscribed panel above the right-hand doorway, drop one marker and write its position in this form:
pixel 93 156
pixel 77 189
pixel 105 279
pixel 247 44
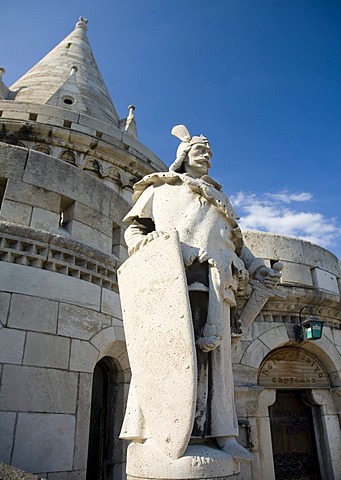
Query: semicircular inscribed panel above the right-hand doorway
pixel 292 368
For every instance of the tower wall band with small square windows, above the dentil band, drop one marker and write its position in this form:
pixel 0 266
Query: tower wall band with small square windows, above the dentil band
pixel 48 194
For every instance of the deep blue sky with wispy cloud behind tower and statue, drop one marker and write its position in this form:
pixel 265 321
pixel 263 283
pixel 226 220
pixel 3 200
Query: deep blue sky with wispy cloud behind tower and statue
pixel 260 78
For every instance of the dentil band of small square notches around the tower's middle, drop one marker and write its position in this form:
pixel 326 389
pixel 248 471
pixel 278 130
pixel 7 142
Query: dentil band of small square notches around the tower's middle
pixel 39 249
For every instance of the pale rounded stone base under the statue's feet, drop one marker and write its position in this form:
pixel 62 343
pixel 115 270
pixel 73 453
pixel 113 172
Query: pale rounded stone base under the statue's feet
pixel 145 461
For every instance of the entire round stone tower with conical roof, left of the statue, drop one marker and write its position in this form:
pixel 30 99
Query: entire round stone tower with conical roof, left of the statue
pixel 67 166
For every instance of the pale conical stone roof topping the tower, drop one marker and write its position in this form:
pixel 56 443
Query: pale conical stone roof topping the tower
pixel 68 77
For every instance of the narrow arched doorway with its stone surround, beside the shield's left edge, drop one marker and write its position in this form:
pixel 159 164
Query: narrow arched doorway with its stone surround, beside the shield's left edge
pixel 110 380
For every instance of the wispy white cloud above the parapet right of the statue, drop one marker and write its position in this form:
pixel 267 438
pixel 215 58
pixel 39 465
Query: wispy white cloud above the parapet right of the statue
pixel 270 213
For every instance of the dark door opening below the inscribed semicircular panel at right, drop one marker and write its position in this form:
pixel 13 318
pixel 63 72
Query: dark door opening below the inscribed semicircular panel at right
pixel 293 437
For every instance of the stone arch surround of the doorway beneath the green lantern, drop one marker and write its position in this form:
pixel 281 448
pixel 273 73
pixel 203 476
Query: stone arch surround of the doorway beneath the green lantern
pixel 259 392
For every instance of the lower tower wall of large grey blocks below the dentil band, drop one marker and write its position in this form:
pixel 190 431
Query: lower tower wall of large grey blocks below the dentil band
pixel 54 328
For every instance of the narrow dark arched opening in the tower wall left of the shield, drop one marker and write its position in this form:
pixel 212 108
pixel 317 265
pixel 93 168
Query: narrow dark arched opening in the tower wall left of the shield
pixel 101 432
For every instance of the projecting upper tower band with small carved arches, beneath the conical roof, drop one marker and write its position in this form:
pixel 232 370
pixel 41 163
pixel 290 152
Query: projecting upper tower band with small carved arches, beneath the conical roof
pixel 85 142
